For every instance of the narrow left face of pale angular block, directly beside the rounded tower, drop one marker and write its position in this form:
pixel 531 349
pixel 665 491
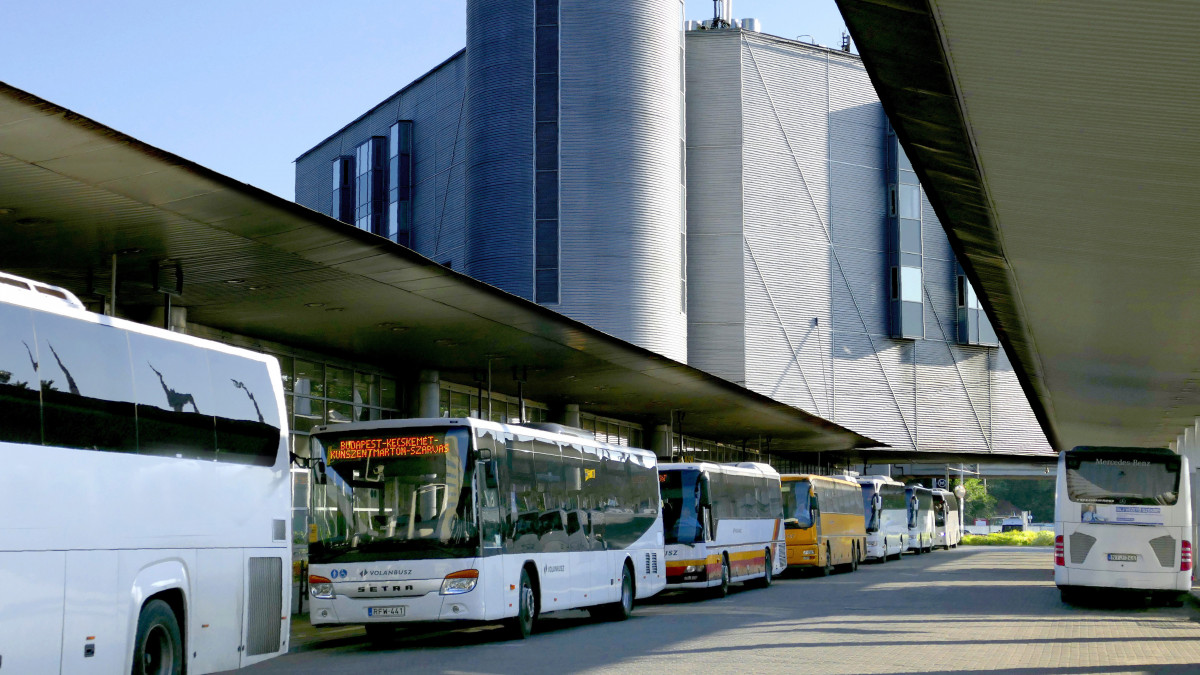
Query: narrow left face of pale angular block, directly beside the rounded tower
pixel 716 249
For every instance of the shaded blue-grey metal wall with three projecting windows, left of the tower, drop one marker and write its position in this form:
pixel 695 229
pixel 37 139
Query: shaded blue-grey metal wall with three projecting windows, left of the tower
pixel 435 105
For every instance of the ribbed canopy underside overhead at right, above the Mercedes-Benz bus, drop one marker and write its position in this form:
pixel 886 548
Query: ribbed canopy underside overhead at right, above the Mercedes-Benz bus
pixel 1060 144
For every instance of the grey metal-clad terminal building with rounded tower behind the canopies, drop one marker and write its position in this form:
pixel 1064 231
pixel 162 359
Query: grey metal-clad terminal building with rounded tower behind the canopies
pixel 713 194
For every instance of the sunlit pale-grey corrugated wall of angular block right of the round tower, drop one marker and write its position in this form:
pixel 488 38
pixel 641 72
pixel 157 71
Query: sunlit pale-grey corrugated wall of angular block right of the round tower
pixel 815 258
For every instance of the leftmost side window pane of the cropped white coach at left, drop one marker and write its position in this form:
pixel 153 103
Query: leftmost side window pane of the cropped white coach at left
pixel 21 389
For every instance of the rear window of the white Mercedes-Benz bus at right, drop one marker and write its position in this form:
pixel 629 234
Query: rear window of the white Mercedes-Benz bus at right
pixel 1123 480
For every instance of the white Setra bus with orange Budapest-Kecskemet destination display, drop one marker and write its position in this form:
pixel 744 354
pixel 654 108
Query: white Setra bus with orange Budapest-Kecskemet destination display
pixel 473 521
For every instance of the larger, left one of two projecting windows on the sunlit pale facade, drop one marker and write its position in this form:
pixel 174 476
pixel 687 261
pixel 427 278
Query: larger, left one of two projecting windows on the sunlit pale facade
pixel 905 249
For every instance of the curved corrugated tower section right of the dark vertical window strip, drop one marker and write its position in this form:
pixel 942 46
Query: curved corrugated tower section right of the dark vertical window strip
pixel 621 170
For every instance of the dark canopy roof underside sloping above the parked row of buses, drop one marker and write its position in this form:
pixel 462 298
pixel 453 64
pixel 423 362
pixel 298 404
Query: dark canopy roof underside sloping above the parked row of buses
pixel 74 193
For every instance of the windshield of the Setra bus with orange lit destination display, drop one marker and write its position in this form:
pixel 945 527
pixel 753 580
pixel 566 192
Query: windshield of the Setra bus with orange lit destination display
pixel 395 494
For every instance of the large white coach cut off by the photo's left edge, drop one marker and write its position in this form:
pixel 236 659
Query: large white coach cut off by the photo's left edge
pixel 146 495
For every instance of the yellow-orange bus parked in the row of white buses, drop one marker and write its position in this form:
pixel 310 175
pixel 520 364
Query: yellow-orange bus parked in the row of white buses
pixel 824 523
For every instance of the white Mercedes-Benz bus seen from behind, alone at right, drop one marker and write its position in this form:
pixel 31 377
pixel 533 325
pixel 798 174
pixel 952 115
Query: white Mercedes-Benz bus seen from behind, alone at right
pixel 1123 521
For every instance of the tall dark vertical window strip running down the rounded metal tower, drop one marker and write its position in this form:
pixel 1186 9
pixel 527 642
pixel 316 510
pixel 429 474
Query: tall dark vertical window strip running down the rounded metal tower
pixel 547 241
